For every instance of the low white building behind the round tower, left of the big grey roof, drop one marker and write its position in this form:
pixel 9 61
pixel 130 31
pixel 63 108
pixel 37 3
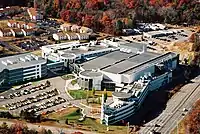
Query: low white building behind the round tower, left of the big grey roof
pixel 82 51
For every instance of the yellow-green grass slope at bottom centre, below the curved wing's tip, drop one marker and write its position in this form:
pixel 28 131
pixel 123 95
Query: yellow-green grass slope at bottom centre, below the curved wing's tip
pixel 88 124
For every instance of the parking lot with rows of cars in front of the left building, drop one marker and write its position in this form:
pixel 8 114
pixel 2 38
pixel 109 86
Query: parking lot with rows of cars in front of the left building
pixel 40 97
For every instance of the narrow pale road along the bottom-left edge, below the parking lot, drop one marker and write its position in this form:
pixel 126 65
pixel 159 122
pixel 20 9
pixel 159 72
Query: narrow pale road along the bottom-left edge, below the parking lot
pixel 54 129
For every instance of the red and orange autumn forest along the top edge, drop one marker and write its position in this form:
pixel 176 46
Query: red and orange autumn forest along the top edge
pixel 111 16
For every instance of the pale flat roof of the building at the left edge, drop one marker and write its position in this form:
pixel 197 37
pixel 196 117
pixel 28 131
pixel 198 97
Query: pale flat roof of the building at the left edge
pixel 16 61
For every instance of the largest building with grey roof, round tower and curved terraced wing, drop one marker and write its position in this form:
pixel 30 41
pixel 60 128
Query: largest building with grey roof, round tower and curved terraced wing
pixel 132 72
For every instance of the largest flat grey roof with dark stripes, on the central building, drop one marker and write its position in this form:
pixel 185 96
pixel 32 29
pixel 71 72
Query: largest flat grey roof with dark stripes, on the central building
pixel 119 62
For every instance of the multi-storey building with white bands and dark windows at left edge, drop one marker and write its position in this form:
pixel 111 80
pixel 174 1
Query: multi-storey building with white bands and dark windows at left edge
pixel 23 67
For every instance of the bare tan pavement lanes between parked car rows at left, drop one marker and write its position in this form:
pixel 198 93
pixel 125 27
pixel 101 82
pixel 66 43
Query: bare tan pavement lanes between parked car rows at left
pixel 56 82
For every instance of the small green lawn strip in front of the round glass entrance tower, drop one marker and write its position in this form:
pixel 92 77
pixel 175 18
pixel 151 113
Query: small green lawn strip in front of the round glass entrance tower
pixel 82 94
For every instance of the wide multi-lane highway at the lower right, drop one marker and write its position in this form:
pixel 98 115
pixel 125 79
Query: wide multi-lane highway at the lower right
pixel 172 115
